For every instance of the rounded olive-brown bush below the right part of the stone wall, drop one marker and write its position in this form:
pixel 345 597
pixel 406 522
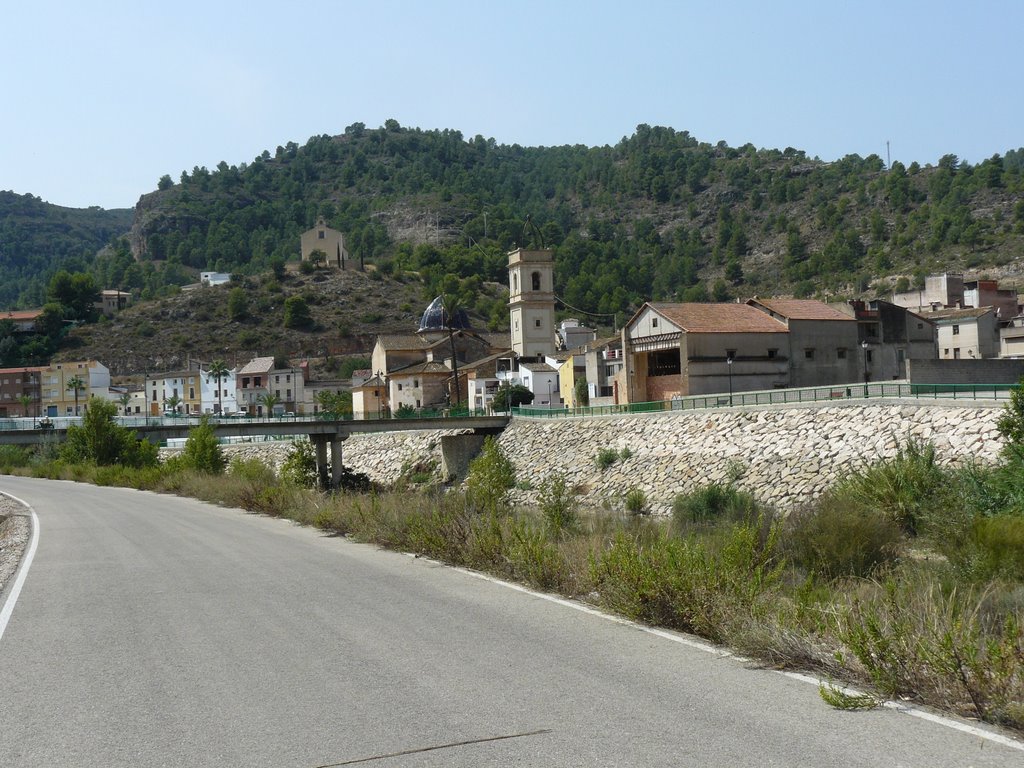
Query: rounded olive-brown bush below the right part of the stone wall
pixel 834 540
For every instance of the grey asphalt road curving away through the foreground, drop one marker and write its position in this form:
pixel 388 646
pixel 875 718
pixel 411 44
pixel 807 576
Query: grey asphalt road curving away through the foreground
pixel 155 631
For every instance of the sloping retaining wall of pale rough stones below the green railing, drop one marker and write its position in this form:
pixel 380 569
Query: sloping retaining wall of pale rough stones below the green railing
pixel 785 456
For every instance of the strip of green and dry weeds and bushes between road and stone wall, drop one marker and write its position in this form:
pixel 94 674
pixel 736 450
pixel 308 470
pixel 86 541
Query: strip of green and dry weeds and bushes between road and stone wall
pixel 906 578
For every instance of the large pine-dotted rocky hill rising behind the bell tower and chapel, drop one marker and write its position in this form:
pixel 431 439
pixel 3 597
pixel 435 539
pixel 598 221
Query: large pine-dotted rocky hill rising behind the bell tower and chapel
pixel 660 216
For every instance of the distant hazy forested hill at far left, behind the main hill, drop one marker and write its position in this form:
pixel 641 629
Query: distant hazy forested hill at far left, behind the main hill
pixel 38 239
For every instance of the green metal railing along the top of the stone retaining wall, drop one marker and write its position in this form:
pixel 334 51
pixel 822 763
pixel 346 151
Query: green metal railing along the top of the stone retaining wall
pixel 839 393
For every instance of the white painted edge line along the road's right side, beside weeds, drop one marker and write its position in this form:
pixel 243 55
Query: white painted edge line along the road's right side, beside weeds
pixel 901 707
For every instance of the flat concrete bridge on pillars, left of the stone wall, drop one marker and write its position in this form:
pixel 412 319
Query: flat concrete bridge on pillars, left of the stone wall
pixel 326 435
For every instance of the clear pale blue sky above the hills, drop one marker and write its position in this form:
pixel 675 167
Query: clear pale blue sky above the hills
pixel 101 100
